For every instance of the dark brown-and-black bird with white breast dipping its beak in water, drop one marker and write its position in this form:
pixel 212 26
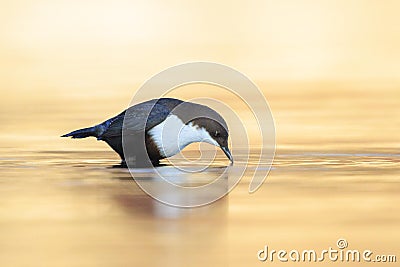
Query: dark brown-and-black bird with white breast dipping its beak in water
pixel 163 127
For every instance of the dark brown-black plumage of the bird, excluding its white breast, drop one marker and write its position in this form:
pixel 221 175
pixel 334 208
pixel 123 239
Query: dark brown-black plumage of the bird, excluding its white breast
pixel 139 119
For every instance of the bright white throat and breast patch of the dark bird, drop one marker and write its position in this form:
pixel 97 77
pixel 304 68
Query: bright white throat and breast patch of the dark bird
pixel 172 135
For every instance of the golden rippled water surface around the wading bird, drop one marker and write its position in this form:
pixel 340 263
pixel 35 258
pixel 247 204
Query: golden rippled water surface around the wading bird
pixel 335 174
